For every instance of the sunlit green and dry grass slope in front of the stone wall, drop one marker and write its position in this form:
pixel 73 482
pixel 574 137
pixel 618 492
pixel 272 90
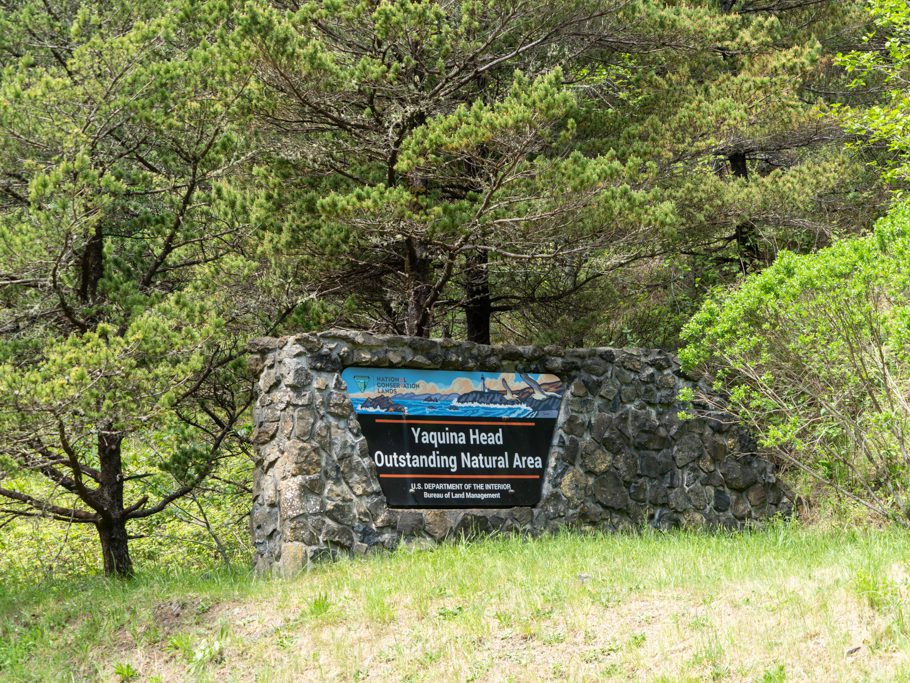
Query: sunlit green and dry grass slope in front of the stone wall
pixel 785 603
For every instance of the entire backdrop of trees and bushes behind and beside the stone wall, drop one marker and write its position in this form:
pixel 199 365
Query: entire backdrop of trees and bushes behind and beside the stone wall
pixel 177 177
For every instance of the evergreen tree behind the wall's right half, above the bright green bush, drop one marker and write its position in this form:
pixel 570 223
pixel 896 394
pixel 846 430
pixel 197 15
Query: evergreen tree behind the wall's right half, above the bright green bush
pixel 736 116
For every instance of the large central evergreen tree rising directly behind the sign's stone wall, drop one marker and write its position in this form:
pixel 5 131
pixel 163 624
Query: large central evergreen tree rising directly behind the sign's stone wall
pixel 427 153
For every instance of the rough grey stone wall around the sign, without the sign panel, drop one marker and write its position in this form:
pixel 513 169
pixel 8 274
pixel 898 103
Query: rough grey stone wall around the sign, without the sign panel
pixel 622 457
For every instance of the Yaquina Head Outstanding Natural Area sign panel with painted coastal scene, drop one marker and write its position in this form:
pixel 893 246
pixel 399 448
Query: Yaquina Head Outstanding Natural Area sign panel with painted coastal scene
pixel 452 439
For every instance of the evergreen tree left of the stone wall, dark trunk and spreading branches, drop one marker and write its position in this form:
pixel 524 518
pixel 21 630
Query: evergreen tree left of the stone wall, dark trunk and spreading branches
pixel 127 275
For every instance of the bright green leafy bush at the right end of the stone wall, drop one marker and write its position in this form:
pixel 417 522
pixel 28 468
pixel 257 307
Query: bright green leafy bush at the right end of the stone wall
pixel 814 354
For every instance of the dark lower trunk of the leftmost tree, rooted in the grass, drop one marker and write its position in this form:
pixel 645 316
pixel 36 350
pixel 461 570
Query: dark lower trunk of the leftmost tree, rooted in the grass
pixel 112 525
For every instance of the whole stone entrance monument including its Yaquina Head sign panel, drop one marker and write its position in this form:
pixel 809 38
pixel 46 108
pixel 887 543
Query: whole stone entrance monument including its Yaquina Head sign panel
pixel 366 441
